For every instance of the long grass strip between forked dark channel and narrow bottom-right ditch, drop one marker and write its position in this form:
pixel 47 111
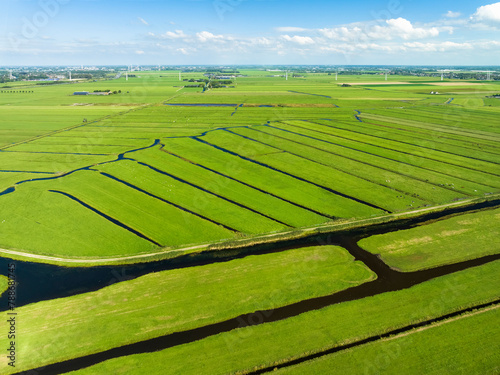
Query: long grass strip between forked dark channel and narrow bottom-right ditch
pixel 251 348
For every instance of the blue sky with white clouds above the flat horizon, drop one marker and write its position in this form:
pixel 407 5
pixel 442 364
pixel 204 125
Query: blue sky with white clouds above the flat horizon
pixel 196 32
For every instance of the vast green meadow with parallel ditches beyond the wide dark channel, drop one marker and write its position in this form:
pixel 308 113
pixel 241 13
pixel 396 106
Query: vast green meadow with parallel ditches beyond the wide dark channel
pixel 283 155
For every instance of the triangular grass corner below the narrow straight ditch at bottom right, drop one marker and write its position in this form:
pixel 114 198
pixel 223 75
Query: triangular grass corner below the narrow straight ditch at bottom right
pixel 446 347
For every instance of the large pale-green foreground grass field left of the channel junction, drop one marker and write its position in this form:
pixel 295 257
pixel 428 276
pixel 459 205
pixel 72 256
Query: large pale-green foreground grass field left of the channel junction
pixel 178 300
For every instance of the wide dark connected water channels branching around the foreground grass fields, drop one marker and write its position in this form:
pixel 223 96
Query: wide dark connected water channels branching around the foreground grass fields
pixel 35 284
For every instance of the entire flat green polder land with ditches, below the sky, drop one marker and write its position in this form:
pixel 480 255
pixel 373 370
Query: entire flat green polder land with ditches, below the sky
pixel 251 221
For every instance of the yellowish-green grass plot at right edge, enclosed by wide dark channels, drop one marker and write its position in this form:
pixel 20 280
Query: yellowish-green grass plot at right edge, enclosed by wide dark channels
pixel 448 241
